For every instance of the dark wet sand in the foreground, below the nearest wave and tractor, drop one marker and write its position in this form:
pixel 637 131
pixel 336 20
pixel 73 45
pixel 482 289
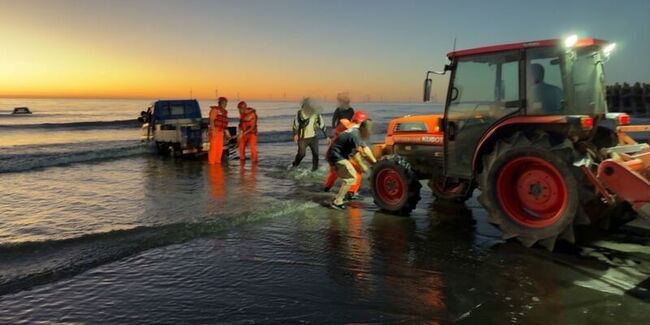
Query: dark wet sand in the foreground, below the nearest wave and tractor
pixel 444 264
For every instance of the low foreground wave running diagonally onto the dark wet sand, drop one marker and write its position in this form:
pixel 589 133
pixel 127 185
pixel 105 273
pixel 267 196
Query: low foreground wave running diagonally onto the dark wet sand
pixel 58 259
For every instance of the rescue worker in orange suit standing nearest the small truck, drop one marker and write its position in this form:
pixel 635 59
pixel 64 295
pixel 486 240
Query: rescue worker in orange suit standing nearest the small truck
pixel 218 130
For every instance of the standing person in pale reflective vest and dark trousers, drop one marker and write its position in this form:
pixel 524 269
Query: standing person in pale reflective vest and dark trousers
pixel 305 127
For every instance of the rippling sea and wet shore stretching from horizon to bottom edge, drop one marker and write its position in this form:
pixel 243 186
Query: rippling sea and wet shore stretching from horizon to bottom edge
pixel 96 228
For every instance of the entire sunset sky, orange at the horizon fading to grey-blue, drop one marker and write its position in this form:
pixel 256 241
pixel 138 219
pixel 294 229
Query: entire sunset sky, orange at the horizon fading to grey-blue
pixel 264 49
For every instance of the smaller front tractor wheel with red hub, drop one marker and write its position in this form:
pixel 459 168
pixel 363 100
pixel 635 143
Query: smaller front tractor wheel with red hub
pixel 395 186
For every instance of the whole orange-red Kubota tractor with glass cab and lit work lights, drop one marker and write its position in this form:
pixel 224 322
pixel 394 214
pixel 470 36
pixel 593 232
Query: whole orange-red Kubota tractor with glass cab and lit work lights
pixel 526 124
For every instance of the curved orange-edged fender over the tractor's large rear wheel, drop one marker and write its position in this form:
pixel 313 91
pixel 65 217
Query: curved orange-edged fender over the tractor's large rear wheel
pixel 506 127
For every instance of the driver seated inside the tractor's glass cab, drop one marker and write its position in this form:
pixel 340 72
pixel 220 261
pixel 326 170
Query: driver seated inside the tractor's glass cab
pixel 546 95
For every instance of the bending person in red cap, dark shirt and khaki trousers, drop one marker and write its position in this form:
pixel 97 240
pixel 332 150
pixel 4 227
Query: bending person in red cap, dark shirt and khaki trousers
pixel 343 147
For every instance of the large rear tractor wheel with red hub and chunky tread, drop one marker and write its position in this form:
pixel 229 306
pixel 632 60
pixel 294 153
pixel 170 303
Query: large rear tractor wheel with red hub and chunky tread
pixel 529 189
